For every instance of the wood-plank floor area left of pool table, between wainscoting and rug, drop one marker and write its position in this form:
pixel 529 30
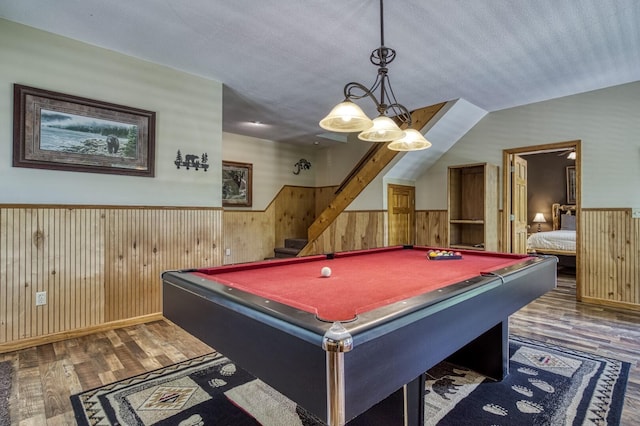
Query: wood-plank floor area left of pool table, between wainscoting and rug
pixel 48 375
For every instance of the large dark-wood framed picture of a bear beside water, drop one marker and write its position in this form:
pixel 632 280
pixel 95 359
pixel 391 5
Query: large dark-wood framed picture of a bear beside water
pixel 57 131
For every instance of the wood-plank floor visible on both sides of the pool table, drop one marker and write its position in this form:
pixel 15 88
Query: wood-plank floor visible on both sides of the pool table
pixel 47 375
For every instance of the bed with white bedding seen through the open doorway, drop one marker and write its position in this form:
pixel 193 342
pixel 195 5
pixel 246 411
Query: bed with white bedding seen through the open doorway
pixel 561 241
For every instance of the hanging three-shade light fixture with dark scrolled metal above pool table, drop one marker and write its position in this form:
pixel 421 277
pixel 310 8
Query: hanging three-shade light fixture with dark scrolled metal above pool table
pixel 348 117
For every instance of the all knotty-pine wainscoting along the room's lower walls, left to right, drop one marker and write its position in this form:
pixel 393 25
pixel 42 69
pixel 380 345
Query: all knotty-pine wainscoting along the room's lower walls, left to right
pixel 101 265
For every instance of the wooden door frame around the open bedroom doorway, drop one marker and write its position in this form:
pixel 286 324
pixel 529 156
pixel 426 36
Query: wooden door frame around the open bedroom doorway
pixel 507 188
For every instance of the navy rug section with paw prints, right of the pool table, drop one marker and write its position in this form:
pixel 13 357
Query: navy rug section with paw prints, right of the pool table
pixel 547 385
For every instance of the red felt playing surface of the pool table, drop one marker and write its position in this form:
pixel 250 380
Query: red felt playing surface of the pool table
pixel 360 281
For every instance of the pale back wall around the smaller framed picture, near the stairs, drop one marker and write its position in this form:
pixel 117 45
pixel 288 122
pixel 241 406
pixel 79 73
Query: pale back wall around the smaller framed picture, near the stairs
pixel 273 165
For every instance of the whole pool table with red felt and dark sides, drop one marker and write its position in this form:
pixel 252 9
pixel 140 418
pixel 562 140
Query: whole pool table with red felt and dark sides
pixel 339 345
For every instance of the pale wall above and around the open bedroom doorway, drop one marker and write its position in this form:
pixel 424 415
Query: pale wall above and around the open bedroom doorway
pixel 607 122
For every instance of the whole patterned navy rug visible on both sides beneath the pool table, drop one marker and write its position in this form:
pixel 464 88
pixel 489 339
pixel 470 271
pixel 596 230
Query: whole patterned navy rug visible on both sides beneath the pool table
pixel 547 385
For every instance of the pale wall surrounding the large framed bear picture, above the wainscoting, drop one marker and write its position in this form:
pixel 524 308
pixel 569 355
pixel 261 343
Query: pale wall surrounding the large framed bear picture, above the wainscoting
pixel 188 117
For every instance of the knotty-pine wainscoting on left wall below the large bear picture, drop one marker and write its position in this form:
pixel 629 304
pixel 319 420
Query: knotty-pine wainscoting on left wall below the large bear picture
pixel 97 265
